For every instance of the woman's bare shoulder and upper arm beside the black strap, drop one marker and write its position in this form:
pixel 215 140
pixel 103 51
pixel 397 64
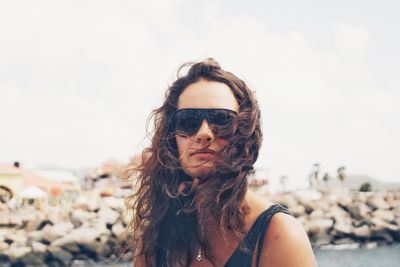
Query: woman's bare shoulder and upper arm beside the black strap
pixel 286 244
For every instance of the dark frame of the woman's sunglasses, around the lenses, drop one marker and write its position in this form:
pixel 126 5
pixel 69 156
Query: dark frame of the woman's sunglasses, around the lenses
pixel 204 115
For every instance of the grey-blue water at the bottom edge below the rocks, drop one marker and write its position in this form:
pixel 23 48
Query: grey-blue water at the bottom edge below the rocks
pixel 385 256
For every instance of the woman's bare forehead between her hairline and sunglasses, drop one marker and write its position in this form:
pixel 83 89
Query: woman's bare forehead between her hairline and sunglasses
pixel 208 94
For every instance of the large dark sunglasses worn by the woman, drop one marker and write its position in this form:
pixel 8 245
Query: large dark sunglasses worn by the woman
pixel 187 121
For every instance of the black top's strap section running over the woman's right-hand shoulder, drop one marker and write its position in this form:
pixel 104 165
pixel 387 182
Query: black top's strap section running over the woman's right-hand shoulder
pixel 241 258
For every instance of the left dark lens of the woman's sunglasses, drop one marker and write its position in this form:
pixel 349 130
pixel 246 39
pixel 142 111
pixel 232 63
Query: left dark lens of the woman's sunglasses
pixel 187 122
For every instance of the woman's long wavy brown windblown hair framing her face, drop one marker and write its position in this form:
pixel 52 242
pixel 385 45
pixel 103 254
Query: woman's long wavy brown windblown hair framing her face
pixel 172 210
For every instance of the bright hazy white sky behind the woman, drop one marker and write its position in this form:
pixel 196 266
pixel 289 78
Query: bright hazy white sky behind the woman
pixel 78 79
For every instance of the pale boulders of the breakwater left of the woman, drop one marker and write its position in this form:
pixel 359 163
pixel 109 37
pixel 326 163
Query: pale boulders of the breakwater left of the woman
pixel 89 229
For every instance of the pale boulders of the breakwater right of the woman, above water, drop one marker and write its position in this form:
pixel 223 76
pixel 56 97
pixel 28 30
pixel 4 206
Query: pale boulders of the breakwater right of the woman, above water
pixel 353 218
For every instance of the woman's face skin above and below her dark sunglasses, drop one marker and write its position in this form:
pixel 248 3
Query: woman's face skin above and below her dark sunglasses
pixel 196 152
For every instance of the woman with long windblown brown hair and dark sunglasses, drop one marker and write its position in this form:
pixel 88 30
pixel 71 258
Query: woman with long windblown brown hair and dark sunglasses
pixel 192 206
